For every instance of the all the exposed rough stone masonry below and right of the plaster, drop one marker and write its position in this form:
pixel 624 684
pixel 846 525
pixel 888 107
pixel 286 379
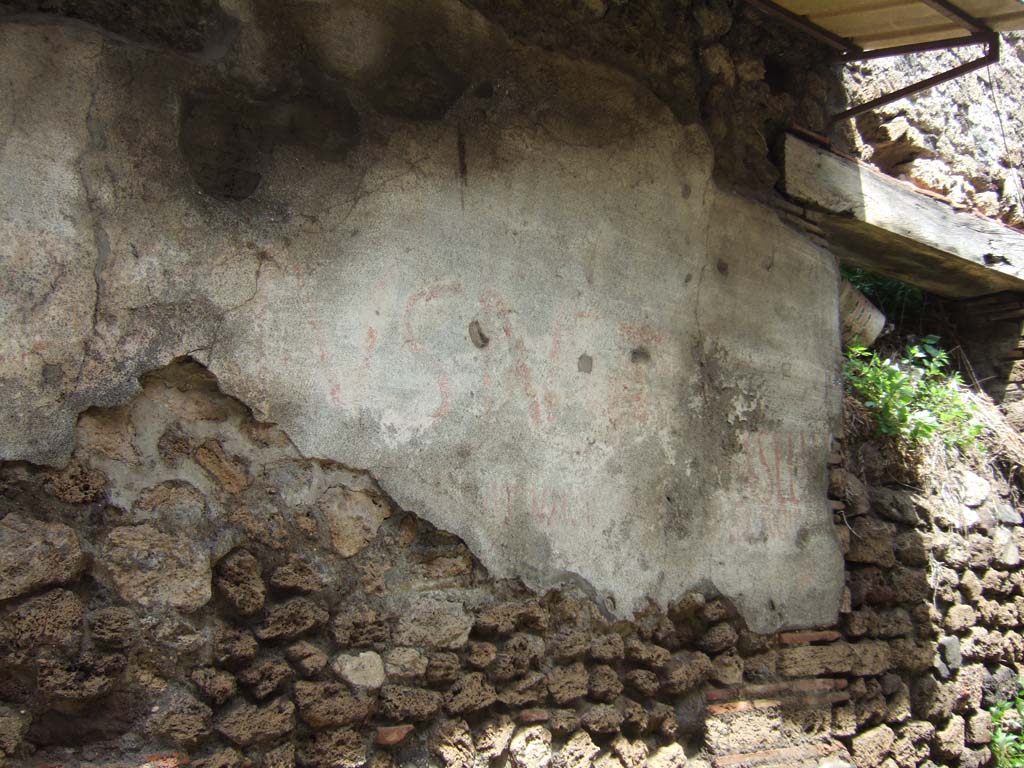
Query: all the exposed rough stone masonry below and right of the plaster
pixel 192 590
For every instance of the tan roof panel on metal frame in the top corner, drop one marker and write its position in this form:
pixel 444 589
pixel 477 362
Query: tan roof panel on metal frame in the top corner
pixel 883 24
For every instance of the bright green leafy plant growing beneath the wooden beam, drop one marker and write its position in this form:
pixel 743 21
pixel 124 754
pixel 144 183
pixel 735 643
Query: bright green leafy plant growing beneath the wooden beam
pixel 914 398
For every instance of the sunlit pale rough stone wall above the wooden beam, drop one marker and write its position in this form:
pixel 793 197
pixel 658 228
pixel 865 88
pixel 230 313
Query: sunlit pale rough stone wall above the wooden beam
pixel 963 140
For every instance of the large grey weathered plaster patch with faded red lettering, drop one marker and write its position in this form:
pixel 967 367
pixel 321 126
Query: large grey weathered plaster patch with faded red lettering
pixel 646 399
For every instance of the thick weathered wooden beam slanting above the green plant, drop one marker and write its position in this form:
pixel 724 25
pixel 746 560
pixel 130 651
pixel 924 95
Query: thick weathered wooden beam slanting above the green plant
pixel 882 225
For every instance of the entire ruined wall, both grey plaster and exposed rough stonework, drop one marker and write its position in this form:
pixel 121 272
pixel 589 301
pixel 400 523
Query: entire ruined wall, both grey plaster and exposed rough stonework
pixel 407 385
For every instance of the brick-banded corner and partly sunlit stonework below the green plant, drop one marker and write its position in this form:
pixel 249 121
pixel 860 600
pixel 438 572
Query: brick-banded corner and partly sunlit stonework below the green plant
pixel 930 635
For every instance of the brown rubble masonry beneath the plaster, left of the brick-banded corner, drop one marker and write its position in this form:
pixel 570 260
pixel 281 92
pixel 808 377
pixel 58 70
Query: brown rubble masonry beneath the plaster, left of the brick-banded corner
pixel 191 586
